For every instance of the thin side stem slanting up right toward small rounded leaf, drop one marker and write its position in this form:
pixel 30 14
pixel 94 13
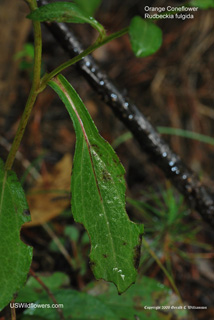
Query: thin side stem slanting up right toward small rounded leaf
pixel 86 52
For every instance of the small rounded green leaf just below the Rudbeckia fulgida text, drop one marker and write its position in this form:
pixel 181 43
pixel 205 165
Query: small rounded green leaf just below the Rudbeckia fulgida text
pixel 146 37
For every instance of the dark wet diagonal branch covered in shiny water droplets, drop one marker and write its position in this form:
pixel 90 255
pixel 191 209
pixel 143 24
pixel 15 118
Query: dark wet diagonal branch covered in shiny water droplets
pixel 149 140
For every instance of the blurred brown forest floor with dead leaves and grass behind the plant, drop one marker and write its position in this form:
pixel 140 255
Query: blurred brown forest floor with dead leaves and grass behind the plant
pixel 173 88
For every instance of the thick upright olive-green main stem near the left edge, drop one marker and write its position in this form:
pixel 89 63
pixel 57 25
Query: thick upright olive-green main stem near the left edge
pixel 33 92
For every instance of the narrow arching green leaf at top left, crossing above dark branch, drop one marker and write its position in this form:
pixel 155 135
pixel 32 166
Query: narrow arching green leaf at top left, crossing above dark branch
pixel 65 12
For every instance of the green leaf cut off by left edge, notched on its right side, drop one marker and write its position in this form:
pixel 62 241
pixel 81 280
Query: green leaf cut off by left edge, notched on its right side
pixel 15 256
